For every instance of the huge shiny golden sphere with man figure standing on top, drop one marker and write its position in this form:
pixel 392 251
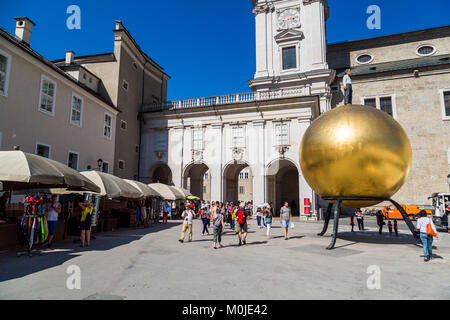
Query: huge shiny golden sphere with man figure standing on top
pixel 355 151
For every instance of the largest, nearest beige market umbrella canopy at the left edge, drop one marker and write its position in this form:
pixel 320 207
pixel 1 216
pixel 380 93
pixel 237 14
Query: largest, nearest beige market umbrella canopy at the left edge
pixel 21 170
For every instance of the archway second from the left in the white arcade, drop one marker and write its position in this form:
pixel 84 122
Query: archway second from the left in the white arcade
pixel 196 179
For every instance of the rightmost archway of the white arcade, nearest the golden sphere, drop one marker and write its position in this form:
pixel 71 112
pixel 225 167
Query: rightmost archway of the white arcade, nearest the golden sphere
pixel 282 185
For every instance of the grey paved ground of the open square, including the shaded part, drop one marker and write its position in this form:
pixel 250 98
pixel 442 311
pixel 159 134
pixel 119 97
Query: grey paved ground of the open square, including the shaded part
pixel 151 264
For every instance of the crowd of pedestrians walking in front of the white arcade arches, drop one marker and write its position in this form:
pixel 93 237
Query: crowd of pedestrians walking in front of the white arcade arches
pixel 234 215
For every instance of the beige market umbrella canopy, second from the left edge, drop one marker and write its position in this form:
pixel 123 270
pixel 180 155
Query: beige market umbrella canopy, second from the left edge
pixel 111 186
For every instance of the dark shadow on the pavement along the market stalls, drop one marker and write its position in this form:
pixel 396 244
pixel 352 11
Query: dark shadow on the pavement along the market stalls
pixel 13 267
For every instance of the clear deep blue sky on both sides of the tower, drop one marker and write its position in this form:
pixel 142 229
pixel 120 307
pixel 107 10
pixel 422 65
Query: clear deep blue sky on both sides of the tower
pixel 206 46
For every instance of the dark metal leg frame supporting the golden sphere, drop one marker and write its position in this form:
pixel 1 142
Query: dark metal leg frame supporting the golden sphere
pixel 337 212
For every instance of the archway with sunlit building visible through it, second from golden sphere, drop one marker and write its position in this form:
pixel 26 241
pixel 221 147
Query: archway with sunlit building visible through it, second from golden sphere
pixel 237 182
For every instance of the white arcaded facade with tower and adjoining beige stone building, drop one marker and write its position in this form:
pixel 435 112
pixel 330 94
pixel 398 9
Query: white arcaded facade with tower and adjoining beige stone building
pixel 298 77
